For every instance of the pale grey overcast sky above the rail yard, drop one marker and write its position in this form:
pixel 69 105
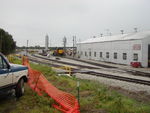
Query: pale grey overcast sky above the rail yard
pixel 33 19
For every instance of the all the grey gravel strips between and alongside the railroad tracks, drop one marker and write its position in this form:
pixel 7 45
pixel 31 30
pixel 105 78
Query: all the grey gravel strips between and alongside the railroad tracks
pixel 138 89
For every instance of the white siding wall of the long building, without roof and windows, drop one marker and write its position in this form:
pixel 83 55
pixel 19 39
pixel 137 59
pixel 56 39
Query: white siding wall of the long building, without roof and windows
pixel 129 47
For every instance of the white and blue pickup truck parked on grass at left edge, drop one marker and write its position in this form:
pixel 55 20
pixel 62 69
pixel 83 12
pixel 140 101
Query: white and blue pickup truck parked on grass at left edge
pixel 12 76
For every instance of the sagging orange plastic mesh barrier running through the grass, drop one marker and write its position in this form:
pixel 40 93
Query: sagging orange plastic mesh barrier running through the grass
pixel 66 102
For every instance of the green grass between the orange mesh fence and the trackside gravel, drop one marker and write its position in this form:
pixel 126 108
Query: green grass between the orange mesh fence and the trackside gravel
pixel 95 96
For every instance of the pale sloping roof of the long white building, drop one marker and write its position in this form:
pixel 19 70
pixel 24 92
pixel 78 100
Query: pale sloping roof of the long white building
pixel 119 37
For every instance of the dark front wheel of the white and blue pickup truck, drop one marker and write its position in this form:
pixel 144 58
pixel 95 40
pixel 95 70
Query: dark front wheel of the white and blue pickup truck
pixel 19 88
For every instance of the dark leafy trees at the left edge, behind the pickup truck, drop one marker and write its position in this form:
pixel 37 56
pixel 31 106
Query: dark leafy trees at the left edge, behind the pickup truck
pixel 7 44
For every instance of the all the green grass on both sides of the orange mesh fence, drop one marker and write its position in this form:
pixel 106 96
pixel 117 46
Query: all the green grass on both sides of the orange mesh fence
pixel 94 97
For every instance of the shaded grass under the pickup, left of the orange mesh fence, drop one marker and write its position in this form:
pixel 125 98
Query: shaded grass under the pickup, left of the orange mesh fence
pixel 29 103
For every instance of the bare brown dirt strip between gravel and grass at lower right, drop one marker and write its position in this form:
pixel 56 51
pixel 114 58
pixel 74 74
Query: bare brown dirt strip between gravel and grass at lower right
pixel 141 96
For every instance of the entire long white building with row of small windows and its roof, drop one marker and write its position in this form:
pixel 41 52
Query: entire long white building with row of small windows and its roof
pixel 121 49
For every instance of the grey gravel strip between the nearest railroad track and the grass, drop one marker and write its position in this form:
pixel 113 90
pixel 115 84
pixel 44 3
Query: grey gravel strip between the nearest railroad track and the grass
pixel 117 83
